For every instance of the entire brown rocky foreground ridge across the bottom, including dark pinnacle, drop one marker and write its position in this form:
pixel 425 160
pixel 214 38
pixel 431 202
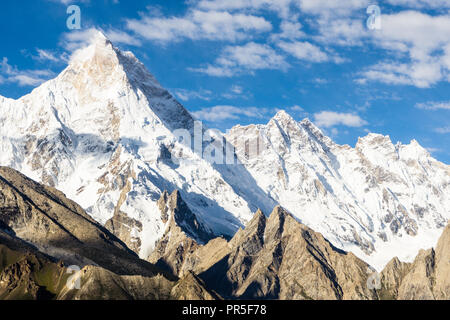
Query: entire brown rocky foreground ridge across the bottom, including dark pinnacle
pixel 43 234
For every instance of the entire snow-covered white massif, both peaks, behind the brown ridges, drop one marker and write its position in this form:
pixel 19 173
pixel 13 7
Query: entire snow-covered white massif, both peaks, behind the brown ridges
pixel 108 135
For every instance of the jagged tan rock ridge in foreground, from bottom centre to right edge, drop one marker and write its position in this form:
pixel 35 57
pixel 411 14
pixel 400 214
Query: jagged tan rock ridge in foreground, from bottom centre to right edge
pixel 277 257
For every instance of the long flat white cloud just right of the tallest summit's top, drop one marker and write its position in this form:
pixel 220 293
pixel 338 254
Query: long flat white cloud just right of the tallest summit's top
pixel 197 24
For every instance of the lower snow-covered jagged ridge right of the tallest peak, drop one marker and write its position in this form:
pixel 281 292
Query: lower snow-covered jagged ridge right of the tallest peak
pixel 377 200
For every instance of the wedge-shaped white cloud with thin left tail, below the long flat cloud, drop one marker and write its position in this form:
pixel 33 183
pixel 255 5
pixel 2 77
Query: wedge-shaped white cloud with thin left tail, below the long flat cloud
pixel 247 58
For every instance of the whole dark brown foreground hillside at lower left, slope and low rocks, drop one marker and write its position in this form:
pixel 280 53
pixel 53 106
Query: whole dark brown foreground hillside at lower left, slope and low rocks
pixel 44 235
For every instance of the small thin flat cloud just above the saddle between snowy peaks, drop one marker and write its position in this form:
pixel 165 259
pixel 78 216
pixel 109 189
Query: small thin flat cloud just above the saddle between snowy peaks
pixel 222 113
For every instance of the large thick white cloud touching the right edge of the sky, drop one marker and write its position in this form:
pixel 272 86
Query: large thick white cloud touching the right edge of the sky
pixel 423 40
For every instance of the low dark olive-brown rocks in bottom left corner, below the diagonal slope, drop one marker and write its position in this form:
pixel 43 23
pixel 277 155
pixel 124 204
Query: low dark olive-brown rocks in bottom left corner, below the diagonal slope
pixel 26 273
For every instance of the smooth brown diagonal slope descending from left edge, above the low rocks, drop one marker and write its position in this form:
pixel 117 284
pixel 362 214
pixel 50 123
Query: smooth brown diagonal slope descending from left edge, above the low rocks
pixel 60 228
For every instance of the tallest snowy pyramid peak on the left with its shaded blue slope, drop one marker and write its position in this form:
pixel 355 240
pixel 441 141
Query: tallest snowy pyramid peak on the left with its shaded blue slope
pixel 103 133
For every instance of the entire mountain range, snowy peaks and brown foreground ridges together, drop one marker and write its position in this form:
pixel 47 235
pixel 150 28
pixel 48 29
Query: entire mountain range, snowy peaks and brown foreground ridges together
pixel 148 204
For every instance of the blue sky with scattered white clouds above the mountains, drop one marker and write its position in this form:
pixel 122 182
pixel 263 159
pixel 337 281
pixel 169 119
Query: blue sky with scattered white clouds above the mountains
pixel 239 61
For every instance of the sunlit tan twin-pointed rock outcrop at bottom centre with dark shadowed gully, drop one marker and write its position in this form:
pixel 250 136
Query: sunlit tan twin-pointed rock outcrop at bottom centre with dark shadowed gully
pixel 279 258
